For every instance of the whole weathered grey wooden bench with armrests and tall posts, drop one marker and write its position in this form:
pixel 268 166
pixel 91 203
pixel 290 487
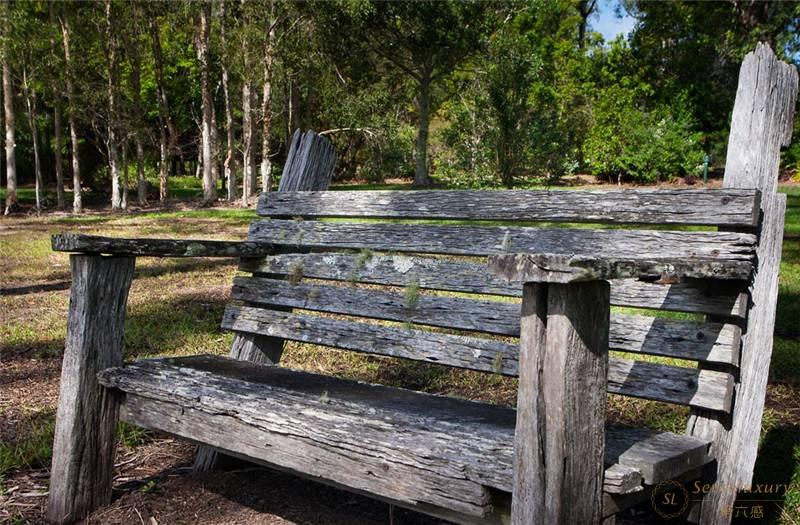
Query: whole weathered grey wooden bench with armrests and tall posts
pixel 354 284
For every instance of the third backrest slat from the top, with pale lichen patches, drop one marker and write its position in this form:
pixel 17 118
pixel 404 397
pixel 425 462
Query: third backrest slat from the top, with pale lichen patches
pixel 716 297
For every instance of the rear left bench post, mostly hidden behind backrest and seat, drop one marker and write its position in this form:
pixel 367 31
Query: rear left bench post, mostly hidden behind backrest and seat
pixel 309 167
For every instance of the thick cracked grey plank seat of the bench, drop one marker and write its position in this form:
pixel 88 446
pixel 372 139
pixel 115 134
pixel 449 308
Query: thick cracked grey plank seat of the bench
pixel 396 443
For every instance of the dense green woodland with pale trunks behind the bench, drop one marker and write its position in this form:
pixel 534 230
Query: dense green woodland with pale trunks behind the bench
pixel 115 97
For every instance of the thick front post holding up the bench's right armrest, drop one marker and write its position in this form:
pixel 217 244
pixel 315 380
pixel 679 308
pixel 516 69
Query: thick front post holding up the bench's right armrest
pixel 559 443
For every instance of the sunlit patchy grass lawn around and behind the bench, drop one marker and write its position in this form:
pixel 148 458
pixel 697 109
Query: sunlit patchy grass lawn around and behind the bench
pixel 175 307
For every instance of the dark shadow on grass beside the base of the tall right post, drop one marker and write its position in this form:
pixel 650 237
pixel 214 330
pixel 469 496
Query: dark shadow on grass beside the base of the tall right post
pixel 774 471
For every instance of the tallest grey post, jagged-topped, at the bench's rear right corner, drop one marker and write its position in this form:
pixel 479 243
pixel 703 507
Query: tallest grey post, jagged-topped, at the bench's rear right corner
pixel 761 125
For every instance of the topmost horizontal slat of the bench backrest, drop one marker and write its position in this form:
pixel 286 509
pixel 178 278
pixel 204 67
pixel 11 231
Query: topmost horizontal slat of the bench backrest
pixel 702 206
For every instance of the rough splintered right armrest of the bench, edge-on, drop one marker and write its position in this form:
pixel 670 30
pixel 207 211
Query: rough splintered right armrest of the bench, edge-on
pixel 558 268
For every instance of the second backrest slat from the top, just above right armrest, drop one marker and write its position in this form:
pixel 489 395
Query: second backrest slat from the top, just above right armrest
pixel 733 252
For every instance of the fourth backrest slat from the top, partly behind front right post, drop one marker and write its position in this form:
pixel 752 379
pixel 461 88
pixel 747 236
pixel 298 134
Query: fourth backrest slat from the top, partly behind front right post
pixel 629 333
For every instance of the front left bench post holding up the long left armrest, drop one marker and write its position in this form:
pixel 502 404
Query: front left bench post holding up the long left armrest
pixel 85 435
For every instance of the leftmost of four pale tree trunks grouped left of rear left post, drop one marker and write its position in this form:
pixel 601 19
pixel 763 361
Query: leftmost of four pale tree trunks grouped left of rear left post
pixel 209 188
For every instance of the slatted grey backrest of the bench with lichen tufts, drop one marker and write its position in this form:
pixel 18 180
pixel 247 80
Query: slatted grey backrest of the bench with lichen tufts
pixel 430 274
